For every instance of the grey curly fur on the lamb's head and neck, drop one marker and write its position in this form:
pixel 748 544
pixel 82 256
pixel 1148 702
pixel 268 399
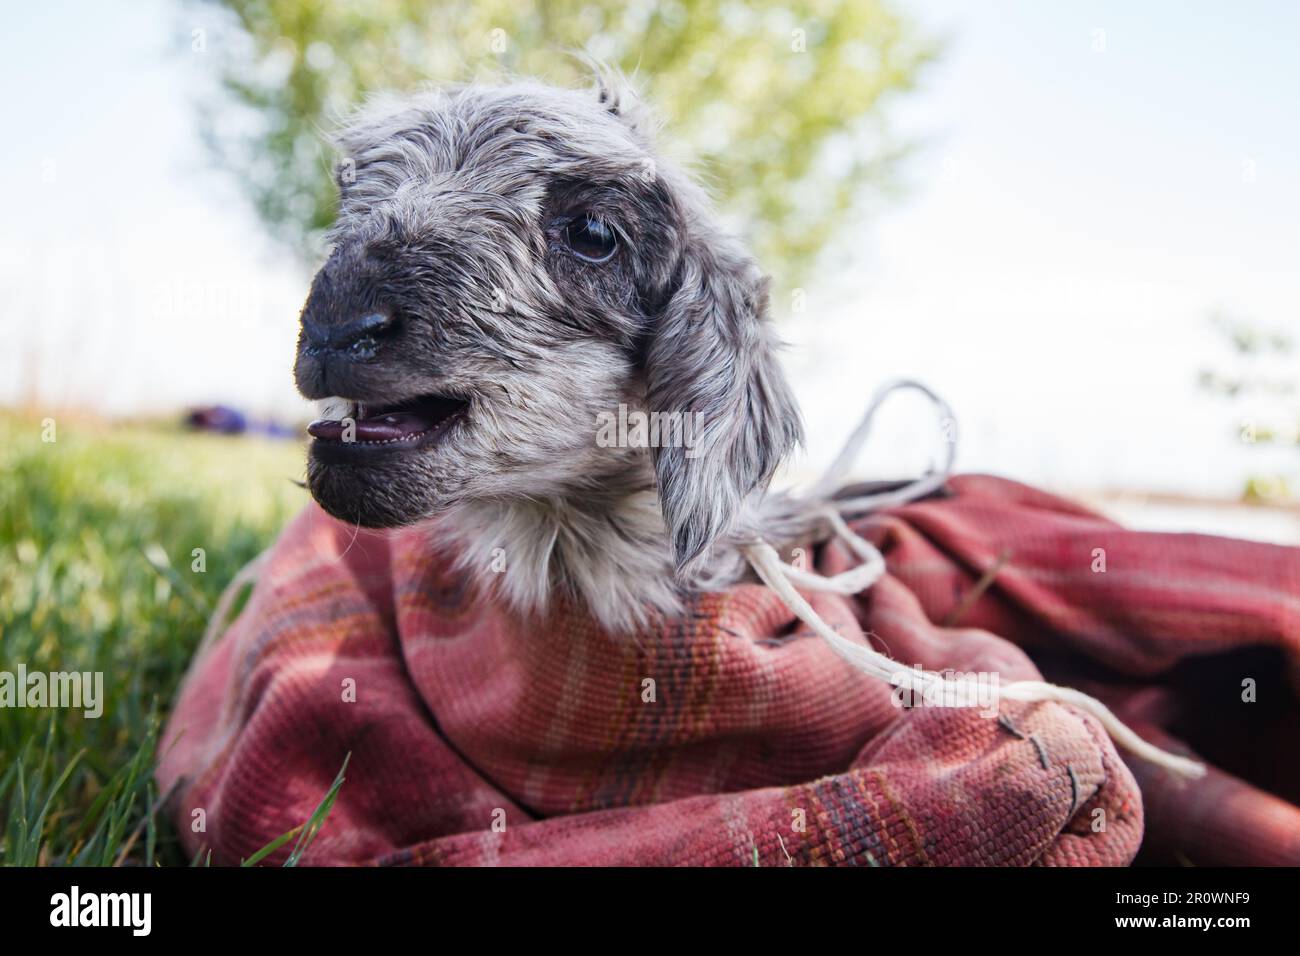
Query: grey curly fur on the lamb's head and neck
pixel 452 211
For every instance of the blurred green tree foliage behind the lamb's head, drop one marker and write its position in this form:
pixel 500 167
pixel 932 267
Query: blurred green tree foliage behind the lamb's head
pixel 778 105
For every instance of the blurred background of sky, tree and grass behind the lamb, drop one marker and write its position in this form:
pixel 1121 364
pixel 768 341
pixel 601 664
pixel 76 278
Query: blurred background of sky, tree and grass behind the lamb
pixel 1080 223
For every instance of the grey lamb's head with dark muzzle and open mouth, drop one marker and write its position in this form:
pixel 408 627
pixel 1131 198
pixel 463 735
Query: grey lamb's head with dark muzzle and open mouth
pixel 510 266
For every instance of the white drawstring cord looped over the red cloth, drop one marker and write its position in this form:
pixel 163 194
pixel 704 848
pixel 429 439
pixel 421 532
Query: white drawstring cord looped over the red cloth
pixel 783 578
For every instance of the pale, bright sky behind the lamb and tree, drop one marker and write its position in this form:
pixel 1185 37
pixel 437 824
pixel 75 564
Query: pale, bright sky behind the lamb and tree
pixel 1093 180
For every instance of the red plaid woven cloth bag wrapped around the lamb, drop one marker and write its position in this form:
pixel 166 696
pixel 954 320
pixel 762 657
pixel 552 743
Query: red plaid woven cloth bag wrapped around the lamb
pixel 479 738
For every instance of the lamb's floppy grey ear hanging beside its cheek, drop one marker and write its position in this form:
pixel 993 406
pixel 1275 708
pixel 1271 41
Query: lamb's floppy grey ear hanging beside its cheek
pixel 712 357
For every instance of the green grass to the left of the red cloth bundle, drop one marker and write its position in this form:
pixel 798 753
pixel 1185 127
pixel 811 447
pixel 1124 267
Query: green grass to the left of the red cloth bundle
pixel 98 531
